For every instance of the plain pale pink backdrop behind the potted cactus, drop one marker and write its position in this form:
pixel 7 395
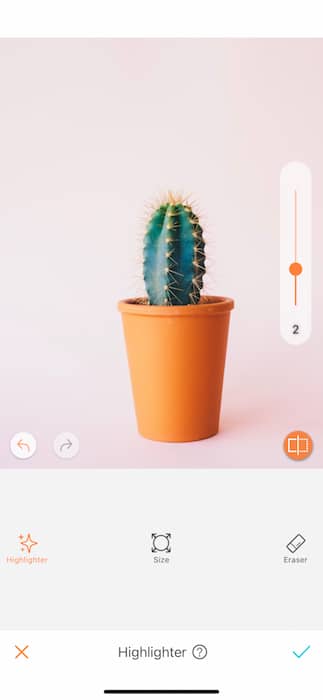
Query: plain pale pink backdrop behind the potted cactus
pixel 90 130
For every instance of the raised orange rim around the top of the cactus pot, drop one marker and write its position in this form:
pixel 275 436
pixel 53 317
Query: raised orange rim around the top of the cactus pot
pixel 211 305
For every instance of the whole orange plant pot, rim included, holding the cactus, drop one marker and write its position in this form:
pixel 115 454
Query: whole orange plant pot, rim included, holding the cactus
pixel 176 357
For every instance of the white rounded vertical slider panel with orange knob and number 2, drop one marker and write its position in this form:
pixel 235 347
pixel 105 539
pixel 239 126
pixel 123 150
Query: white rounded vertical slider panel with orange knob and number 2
pixel 295 253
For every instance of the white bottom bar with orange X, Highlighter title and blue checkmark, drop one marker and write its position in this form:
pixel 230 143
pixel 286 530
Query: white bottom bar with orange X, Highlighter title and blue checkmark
pixel 91 665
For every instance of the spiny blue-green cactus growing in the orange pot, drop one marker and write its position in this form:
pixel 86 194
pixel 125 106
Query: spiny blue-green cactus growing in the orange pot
pixel 174 258
